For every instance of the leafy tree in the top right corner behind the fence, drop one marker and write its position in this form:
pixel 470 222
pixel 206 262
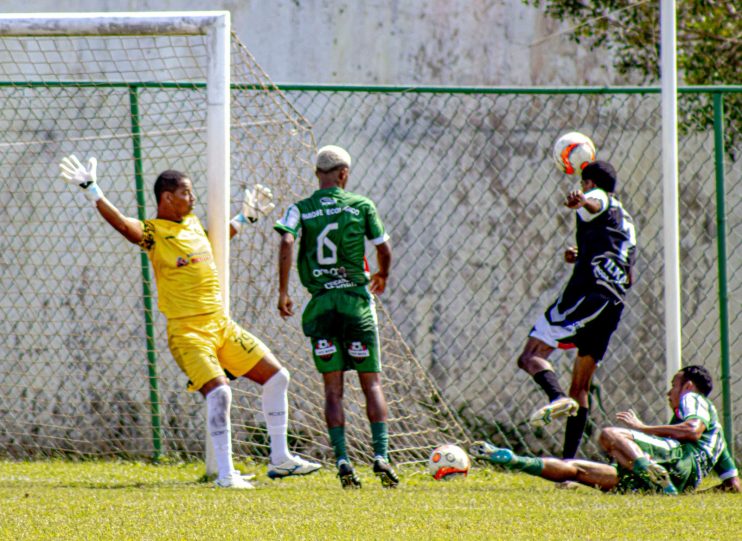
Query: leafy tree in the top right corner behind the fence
pixel 708 46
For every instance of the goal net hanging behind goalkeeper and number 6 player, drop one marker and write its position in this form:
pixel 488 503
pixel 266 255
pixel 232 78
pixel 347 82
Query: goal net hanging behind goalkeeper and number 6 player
pixel 85 365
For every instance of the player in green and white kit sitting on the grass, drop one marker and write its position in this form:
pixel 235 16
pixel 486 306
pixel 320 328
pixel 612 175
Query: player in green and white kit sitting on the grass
pixel 667 458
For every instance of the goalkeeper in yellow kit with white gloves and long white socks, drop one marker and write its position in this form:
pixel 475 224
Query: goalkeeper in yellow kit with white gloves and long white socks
pixel 203 340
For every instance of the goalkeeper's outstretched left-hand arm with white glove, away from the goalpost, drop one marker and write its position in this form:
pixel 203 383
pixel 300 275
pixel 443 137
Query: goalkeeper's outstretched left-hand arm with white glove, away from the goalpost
pixel 76 174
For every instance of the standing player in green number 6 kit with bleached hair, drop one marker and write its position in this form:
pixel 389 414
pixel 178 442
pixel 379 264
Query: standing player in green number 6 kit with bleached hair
pixel 340 319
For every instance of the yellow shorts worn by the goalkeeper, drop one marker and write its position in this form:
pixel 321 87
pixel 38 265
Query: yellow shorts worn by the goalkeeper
pixel 204 346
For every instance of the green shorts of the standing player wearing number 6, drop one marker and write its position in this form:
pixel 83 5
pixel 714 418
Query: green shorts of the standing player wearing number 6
pixel 344 331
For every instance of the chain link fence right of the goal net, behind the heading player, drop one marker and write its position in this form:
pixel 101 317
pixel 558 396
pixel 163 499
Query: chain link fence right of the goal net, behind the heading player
pixel 465 183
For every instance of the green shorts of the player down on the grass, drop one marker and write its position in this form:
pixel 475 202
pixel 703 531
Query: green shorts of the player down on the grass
pixel 684 463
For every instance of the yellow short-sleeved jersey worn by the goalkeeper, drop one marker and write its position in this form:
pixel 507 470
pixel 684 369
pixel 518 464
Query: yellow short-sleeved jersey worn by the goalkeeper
pixel 186 275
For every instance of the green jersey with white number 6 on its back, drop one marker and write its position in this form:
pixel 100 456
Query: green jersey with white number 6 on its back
pixel 333 225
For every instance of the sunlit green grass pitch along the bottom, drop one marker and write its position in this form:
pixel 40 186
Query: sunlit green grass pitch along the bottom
pixel 111 500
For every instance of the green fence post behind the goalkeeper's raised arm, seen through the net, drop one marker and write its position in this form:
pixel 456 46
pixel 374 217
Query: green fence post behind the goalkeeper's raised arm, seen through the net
pixel 154 399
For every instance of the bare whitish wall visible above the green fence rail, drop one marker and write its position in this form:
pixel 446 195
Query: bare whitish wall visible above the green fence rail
pixel 422 42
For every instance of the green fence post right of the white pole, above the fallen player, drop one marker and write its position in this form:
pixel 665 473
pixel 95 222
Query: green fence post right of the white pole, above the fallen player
pixel 721 243
